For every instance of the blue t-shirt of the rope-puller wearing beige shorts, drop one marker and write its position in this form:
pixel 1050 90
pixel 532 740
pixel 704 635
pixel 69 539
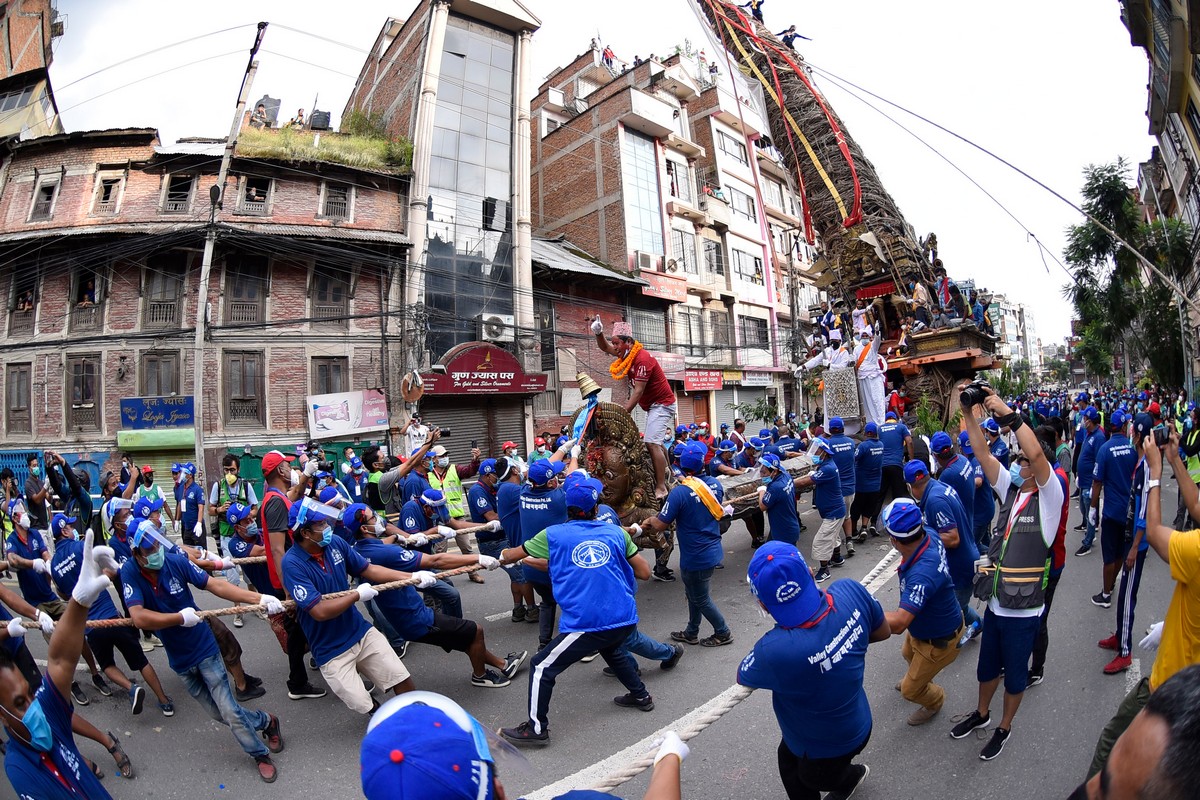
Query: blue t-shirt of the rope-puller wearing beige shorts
pixel 309 580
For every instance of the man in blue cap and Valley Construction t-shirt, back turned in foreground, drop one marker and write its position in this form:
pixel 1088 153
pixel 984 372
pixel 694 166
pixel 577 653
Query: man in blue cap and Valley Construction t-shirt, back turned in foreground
pixel 813 663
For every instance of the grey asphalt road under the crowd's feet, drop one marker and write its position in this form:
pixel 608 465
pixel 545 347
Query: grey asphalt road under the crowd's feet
pixel 189 756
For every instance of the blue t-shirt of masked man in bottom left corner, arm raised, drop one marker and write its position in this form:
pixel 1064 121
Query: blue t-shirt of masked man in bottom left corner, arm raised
pixel 26 771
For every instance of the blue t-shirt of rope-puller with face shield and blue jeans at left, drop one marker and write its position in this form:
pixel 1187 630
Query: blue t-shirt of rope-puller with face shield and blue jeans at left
pixel 167 592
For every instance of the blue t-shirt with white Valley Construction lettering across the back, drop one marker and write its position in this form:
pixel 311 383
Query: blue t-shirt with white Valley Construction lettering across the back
pixel 815 675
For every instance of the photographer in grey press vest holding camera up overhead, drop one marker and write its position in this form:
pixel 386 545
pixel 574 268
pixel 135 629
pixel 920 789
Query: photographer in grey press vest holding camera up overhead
pixel 1034 504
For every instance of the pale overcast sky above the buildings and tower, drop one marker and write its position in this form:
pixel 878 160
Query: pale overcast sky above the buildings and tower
pixel 1052 87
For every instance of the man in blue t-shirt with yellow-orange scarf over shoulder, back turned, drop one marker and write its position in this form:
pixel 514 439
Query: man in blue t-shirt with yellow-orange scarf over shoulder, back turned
pixel 697 512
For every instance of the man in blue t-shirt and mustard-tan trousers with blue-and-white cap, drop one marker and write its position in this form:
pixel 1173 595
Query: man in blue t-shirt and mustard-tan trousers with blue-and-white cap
pixel 929 612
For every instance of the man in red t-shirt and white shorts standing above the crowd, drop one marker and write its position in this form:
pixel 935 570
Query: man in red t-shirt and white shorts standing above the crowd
pixel 649 389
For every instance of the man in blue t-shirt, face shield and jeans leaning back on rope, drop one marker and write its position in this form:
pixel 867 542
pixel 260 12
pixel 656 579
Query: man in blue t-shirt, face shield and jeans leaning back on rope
pixel 155 585
